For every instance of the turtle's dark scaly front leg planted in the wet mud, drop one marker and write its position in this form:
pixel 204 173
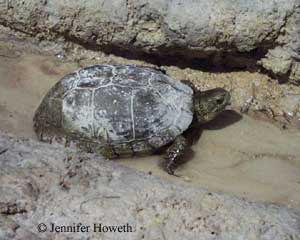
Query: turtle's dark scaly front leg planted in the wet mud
pixel 174 153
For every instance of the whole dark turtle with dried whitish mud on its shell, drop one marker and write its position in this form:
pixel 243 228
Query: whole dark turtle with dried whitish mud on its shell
pixel 126 110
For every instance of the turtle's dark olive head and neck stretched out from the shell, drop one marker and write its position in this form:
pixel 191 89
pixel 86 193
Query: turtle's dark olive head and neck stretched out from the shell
pixel 208 104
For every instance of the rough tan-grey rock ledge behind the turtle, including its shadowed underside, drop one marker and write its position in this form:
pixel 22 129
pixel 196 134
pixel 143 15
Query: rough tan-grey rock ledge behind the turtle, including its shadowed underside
pixel 231 33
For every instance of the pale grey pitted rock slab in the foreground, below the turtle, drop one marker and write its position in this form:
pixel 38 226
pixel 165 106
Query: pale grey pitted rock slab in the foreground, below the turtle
pixel 77 189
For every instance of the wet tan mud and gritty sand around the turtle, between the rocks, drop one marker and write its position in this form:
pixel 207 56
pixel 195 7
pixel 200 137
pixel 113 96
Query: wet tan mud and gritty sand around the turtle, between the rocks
pixel 236 154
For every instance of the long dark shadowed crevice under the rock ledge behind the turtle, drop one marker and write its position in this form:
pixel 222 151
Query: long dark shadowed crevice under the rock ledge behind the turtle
pixel 172 56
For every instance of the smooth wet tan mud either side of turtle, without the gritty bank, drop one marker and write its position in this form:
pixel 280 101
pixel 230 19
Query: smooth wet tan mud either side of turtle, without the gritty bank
pixel 236 154
